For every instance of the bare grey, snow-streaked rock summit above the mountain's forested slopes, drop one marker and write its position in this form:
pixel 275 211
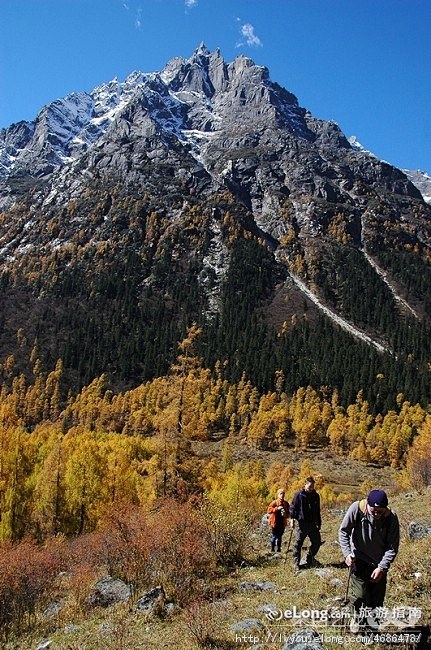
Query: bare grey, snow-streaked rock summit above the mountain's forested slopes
pixel 227 122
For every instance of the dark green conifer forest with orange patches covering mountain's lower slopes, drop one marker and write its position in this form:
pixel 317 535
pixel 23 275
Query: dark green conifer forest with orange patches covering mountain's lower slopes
pixel 116 299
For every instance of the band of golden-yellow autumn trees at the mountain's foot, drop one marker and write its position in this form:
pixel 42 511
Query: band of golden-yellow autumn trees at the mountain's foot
pixel 65 459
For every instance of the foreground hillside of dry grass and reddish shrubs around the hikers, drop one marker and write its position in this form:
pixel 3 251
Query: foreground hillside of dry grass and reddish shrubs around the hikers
pixel 221 581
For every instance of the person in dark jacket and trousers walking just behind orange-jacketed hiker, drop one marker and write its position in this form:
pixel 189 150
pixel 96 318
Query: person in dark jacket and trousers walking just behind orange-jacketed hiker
pixel 305 509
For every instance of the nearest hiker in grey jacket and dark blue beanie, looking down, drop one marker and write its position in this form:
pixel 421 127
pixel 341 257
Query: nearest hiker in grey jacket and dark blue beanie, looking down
pixel 369 537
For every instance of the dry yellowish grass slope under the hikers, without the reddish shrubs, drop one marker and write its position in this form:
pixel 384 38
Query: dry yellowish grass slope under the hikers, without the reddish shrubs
pixel 119 628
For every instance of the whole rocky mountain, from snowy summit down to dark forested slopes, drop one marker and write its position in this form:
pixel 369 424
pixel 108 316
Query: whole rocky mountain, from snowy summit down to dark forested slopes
pixel 158 181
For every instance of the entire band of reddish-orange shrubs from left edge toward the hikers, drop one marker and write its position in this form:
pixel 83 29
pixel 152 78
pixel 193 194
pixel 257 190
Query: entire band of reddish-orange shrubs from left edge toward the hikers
pixel 177 545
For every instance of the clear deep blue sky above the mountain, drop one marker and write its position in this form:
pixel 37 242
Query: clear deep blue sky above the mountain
pixel 363 63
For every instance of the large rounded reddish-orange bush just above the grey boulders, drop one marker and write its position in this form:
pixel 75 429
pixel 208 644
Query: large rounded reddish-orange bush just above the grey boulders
pixel 168 546
